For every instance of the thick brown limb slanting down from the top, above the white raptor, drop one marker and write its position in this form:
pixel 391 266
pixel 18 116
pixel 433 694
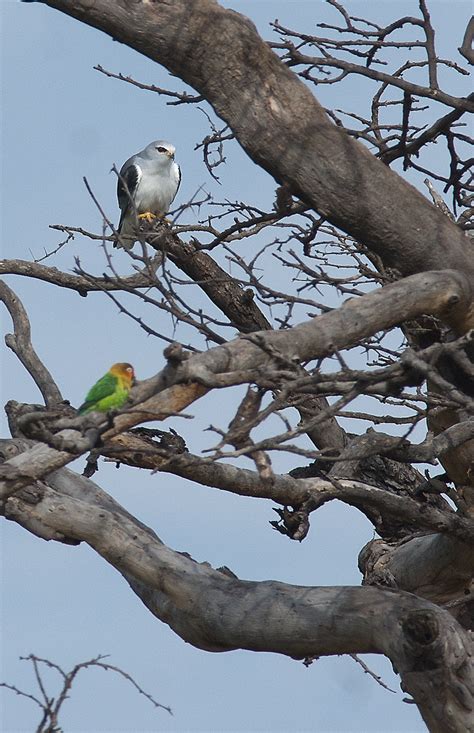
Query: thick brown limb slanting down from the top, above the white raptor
pixel 249 87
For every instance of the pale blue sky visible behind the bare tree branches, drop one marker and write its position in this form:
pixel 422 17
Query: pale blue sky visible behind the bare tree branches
pixel 63 120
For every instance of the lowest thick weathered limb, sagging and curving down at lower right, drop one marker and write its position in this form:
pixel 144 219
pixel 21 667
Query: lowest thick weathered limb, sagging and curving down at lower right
pixel 218 613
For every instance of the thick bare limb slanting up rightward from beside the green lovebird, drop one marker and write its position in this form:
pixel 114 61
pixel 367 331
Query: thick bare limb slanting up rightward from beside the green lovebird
pixel 240 360
